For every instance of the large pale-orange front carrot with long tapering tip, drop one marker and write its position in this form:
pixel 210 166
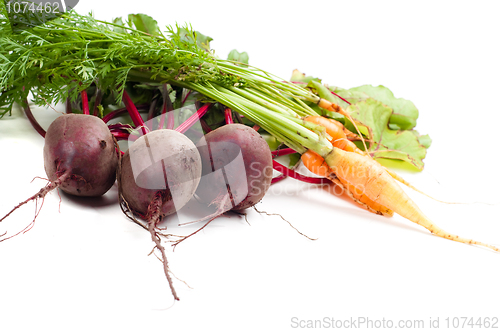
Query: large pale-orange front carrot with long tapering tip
pixel 376 183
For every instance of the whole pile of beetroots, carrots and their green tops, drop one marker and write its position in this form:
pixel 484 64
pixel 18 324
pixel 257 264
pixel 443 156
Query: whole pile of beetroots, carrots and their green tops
pixel 163 85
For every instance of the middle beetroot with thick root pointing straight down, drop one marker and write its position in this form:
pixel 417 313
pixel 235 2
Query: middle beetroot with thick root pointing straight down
pixel 159 174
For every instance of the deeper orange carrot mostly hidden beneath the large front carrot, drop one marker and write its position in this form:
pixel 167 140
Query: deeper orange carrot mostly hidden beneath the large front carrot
pixel 318 166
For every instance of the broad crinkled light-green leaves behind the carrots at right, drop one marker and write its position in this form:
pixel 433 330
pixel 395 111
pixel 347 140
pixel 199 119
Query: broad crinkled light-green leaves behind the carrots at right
pixel 386 121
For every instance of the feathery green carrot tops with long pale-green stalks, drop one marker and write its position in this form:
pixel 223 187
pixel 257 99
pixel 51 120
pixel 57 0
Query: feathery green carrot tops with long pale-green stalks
pixel 63 57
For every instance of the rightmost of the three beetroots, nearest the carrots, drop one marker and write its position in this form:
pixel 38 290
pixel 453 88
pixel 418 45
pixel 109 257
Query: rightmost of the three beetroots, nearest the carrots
pixel 236 161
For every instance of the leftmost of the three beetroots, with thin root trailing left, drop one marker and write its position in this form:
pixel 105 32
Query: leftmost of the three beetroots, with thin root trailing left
pixel 80 158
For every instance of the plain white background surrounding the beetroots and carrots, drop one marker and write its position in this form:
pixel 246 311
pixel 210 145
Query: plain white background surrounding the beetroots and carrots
pixel 85 267
